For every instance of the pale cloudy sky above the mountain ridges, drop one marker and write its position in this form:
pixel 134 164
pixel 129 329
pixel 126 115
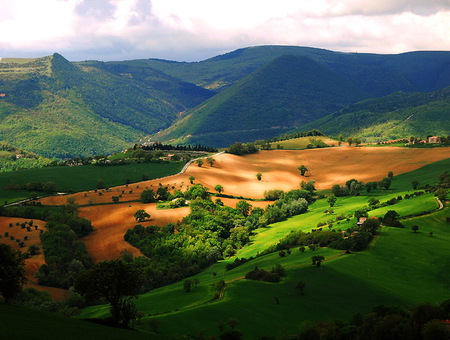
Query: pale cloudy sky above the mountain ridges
pixel 194 30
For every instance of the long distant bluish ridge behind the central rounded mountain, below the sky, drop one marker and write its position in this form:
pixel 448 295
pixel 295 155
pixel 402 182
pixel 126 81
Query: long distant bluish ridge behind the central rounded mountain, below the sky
pixel 376 74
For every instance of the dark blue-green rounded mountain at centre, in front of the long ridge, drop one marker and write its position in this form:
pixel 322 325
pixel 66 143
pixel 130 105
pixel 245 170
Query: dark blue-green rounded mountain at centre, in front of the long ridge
pixel 288 92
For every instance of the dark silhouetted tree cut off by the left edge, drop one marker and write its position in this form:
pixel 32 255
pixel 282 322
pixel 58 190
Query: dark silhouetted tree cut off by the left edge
pixel 12 272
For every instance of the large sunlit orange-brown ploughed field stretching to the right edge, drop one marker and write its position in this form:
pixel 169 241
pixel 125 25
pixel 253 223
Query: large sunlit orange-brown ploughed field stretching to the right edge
pixel 237 174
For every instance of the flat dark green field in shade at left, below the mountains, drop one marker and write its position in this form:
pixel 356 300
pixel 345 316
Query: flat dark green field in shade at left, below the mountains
pixel 81 178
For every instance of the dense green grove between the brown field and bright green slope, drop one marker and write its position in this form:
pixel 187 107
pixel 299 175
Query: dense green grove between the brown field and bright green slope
pixel 210 232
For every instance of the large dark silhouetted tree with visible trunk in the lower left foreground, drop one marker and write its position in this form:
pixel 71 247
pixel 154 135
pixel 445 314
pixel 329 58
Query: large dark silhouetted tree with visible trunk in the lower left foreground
pixel 113 281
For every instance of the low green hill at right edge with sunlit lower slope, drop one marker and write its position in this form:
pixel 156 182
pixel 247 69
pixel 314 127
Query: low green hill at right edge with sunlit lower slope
pixel 398 115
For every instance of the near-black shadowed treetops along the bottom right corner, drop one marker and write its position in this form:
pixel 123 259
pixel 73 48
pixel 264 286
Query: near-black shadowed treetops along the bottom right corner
pixel 421 322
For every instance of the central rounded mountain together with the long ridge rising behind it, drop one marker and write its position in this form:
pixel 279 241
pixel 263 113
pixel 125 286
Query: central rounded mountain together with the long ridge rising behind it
pixel 257 107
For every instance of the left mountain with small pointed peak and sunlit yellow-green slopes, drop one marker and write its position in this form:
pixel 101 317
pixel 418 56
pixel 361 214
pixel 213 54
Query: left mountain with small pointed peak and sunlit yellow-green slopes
pixel 61 109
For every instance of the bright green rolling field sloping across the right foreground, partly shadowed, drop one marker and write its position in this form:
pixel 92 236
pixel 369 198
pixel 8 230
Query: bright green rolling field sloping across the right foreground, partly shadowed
pixel 400 268
